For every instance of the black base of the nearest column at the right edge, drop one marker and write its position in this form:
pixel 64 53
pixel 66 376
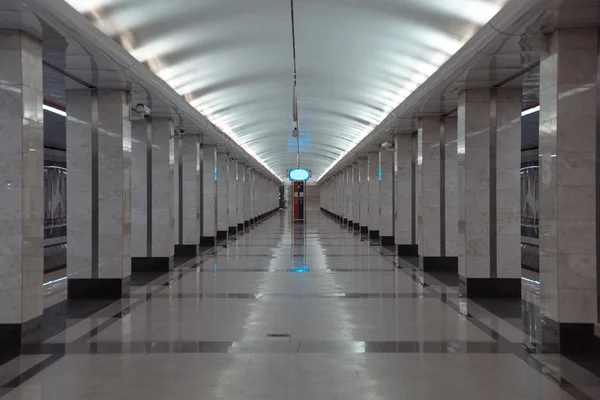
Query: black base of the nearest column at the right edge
pixel 569 338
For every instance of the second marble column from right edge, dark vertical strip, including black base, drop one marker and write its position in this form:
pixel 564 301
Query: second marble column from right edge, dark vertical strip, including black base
pixel 489 162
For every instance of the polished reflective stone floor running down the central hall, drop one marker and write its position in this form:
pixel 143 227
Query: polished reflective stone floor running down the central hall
pixel 293 312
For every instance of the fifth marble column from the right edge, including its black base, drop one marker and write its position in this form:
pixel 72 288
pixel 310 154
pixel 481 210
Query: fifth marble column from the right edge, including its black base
pixel 386 197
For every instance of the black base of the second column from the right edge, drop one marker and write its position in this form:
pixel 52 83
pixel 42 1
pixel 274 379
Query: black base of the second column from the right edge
pixel 491 288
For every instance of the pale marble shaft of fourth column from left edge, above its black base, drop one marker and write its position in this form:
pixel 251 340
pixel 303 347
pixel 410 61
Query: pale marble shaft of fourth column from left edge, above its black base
pixel 191 190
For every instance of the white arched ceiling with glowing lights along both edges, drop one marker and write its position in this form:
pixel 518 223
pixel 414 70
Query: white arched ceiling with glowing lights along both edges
pixel 232 60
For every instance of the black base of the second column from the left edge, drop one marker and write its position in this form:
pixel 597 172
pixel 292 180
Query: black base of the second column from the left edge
pixel 102 288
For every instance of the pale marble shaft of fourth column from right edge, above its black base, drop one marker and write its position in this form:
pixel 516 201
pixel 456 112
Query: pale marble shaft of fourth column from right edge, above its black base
pixel 403 184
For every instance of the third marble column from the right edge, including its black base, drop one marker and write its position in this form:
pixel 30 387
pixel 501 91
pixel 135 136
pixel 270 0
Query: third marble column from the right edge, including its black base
pixel 433 187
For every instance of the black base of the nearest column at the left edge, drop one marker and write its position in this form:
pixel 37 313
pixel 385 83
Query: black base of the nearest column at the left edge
pixel 15 336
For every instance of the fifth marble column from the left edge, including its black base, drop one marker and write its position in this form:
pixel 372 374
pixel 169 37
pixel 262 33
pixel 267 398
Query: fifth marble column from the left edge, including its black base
pixel 209 195
